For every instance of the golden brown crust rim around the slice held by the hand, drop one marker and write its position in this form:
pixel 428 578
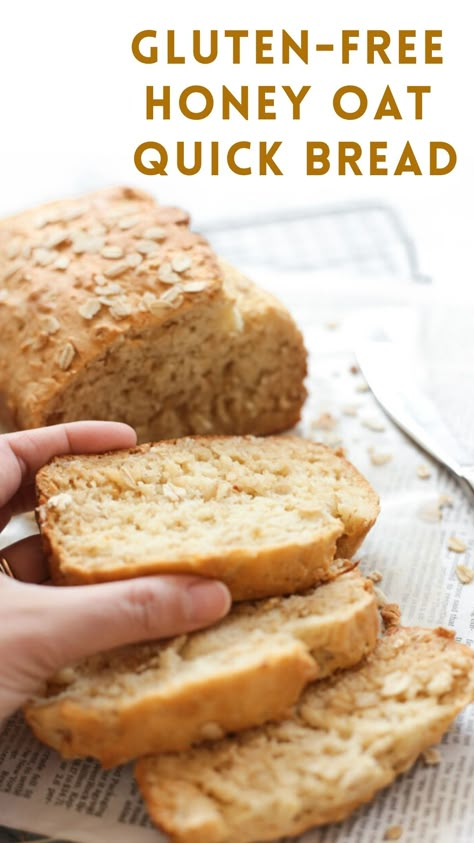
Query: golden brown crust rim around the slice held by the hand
pixel 250 572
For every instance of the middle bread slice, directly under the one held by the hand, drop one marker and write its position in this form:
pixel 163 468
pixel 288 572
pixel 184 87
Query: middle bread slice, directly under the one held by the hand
pixel 249 668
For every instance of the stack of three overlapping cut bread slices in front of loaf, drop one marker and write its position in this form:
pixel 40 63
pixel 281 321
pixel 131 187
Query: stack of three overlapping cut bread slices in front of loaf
pixel 295 708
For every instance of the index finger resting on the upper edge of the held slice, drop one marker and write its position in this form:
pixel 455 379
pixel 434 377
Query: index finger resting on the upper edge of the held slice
pixel 23 453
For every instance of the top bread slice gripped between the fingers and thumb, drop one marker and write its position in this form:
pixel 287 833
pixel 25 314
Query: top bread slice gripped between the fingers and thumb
pixel 266 516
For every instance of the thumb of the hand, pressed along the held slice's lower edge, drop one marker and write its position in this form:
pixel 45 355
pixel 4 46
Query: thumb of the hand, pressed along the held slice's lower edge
pixel 56 626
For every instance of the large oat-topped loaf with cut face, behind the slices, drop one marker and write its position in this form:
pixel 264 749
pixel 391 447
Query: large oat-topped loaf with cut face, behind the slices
pixel 111 308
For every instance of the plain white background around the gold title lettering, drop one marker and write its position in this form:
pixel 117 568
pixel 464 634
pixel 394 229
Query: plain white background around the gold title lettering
pixel 73 109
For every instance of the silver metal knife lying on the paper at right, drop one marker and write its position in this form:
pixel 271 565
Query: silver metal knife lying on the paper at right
pixel 386 355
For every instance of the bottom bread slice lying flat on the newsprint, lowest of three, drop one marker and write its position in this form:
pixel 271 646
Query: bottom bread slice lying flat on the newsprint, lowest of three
pixel 354 733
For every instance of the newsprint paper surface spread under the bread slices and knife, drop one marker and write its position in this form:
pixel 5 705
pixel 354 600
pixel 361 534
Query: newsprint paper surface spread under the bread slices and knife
pixel 434 804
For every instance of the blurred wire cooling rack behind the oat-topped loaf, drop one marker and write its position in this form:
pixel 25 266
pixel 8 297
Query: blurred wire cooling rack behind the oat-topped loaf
pixel 368 239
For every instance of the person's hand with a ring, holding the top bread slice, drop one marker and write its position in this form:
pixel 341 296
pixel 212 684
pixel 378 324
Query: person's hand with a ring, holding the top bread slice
pixel 43 628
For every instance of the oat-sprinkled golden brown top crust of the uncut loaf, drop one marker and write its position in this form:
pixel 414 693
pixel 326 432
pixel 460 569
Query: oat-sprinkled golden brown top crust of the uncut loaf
pixel 63 302
